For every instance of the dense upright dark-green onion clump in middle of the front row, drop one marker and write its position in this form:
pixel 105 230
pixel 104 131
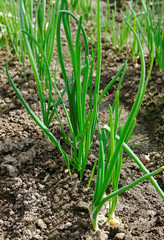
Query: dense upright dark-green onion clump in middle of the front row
pixel 83 121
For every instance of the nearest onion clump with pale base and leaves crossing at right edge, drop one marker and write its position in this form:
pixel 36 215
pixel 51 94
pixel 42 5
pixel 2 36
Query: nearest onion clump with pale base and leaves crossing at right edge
pixel 111 151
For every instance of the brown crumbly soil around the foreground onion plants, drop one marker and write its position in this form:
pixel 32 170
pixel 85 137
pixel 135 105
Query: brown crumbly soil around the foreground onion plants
pixel 38 198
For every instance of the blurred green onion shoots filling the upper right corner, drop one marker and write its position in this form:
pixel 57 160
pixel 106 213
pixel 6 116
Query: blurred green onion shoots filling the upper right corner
pixel 149 28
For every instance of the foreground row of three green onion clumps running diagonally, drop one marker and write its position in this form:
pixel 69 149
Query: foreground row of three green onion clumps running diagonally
pixel 39 31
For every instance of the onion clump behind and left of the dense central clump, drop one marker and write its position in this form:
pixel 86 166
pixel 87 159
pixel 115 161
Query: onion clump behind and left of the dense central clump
pixel 42 28
